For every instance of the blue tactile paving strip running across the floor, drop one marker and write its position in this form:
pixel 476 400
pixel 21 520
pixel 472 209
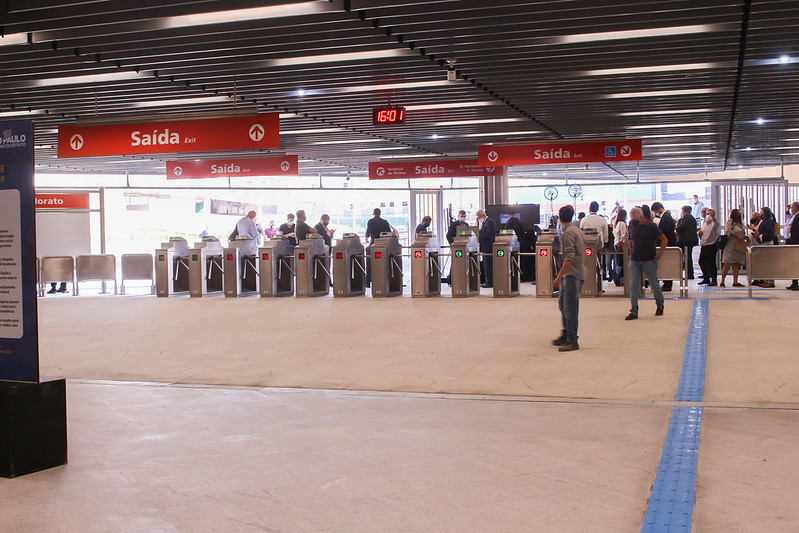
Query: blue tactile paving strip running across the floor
pixel 671 503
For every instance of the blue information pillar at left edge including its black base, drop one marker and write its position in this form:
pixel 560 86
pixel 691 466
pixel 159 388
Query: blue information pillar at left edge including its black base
pixel 33 423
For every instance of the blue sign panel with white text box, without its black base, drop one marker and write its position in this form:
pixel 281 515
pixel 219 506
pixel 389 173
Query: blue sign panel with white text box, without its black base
pixel 19 339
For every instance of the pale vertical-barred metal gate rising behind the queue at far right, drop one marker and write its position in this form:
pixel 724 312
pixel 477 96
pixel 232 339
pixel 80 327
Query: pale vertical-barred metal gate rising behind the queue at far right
pixel 749 196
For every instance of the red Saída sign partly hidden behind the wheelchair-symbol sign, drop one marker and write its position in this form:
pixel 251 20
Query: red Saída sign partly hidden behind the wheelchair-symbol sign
pixel 436 168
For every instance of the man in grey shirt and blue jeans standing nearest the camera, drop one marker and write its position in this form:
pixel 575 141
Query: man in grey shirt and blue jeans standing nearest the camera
pixel 570 279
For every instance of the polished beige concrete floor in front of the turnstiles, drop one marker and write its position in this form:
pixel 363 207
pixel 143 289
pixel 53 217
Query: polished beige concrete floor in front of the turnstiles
pixel 406 414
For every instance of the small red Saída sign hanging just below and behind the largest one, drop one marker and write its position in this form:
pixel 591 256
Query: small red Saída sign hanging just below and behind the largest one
pixel 231 168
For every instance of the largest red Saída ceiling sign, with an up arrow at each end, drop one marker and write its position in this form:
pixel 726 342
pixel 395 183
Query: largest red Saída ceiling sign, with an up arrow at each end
pixel 180 136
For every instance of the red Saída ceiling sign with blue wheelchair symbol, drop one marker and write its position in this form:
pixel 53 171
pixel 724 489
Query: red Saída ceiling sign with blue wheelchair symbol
pixel 593 151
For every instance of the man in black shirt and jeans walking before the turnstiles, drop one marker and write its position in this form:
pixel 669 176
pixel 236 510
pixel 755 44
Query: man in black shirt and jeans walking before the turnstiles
pixel 644 236
